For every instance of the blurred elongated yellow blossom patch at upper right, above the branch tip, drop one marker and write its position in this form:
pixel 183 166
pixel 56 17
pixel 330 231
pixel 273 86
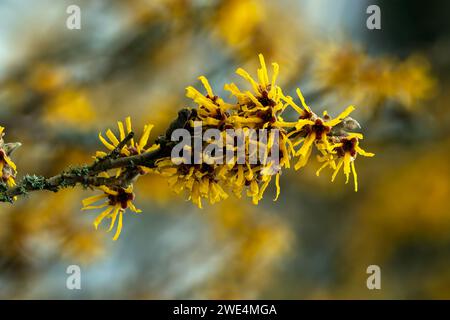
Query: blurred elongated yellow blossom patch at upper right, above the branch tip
pixel 370 81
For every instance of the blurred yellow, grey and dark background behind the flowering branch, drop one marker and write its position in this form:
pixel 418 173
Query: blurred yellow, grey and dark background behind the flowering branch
pixel 60 87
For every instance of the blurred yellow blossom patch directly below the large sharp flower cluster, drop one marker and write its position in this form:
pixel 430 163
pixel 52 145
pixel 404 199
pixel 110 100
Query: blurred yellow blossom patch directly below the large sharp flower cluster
pixel 255 241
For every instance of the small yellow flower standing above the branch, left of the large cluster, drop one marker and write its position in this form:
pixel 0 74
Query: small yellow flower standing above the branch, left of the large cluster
pixel 132 147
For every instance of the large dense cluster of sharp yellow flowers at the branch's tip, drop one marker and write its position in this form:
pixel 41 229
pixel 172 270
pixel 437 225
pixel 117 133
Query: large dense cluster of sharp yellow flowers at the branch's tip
pixel 262 107
